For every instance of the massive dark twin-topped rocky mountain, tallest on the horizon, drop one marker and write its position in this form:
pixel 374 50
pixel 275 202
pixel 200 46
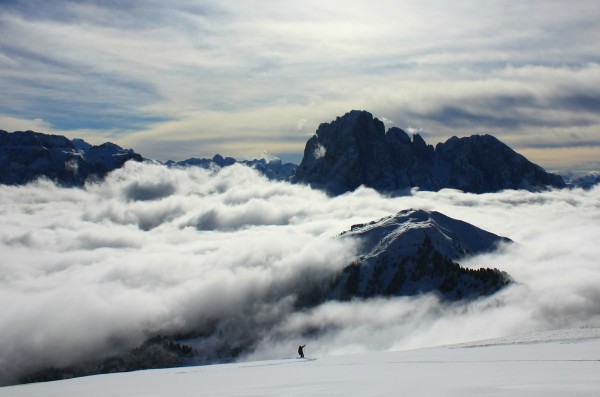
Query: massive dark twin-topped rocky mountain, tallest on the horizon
pixel 355 150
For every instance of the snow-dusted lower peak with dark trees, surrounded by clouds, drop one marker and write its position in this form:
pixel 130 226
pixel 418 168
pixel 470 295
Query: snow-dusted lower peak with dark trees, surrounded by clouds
pixel 412 253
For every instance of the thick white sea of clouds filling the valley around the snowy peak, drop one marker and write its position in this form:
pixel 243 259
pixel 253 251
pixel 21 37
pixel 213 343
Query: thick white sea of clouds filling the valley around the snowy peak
pixel 86 273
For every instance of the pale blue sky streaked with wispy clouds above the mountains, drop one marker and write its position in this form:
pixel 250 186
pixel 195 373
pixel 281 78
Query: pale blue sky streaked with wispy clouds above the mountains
pixel 176 79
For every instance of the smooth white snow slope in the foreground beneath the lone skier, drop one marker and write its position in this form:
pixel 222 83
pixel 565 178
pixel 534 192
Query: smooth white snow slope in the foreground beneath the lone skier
pixel 556 363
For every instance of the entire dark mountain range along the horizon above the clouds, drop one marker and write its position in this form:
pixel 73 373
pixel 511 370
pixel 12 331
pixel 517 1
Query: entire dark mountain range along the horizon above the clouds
pixel 342 155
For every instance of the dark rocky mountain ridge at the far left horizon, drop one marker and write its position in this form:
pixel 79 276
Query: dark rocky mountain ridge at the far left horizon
pixel 26 156
